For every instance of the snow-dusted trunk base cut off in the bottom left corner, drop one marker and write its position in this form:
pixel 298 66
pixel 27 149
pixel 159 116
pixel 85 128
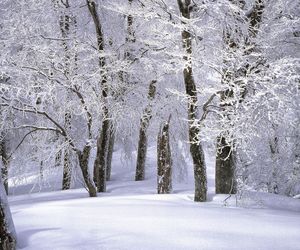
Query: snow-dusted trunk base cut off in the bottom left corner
pixel 8 237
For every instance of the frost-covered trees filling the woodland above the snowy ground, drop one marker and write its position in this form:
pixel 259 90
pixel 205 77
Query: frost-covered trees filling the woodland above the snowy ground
pixel 76 79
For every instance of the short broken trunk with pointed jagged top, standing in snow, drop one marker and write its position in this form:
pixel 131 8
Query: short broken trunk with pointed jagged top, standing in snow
pixel 164 161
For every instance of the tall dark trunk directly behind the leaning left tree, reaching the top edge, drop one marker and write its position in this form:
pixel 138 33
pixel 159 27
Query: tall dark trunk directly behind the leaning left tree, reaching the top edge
pixel 100 163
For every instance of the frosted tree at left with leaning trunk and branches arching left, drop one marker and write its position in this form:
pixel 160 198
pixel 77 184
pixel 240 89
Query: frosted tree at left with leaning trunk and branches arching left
pixel 39 84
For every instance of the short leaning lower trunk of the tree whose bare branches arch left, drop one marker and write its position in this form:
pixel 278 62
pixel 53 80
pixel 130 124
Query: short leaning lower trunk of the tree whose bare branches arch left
pixel 83 158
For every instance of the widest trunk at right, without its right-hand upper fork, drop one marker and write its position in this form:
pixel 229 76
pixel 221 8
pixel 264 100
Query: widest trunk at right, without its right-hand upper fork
pixel 225 179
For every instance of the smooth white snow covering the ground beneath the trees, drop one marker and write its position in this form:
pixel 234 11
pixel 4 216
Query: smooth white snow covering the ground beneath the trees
pixel 132 216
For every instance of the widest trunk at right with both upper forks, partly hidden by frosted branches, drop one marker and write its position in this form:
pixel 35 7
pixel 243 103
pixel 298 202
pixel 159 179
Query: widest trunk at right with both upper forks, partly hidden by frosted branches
pixel 225 156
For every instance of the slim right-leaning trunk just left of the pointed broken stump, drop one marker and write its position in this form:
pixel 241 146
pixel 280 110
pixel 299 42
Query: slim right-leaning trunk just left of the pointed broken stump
pixel 142 145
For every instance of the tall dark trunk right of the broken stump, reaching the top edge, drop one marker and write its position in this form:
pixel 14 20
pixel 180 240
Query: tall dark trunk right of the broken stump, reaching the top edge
pixel 190 86
